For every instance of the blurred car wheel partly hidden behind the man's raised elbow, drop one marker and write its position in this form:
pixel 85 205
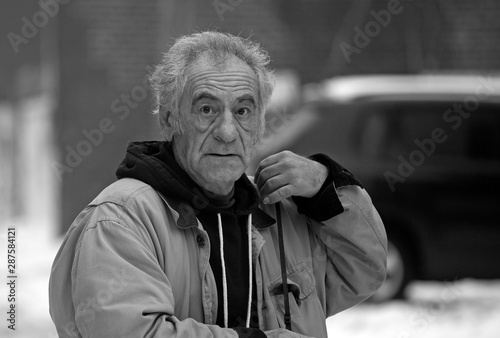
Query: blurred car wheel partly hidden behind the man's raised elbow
pixel 399 272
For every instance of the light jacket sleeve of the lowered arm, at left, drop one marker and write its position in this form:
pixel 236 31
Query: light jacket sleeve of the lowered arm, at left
pixel 120 290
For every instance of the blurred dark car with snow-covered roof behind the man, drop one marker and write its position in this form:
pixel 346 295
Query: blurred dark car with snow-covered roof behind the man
pixel 427 149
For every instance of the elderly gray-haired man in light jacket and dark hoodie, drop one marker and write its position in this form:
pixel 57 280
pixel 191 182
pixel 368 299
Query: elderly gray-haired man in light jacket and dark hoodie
pixel 184 244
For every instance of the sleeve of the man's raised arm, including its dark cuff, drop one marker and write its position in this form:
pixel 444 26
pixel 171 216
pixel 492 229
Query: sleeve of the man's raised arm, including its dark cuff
pixel 350 243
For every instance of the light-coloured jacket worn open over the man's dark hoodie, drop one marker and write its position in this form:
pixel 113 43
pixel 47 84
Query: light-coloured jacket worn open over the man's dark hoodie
pixel 130 267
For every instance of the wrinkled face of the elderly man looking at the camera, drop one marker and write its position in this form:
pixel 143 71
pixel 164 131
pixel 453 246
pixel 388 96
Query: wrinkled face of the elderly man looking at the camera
pixel 220 123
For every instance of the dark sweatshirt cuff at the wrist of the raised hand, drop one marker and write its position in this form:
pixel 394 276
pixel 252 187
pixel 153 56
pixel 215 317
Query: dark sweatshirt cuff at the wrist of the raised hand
pixel 326 203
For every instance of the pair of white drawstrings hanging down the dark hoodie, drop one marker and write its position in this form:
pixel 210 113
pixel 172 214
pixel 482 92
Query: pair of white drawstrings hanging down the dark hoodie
pixel 224 276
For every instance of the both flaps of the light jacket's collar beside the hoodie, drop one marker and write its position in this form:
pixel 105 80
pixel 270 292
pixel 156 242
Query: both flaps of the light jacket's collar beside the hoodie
pixel 185 215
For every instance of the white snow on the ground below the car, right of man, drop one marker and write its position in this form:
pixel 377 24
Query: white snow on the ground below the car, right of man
pixel 466 308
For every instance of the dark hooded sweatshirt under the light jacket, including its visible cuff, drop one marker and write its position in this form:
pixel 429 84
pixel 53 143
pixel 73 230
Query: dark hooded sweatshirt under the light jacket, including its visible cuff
pixel 153 163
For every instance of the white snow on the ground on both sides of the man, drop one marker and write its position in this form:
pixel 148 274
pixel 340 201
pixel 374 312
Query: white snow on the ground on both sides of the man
pixel 458 309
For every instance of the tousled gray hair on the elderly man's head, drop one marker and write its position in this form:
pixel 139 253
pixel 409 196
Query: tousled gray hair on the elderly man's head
pixel 169 77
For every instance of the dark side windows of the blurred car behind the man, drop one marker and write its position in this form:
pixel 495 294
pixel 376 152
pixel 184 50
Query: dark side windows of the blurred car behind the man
pixel 388 131
